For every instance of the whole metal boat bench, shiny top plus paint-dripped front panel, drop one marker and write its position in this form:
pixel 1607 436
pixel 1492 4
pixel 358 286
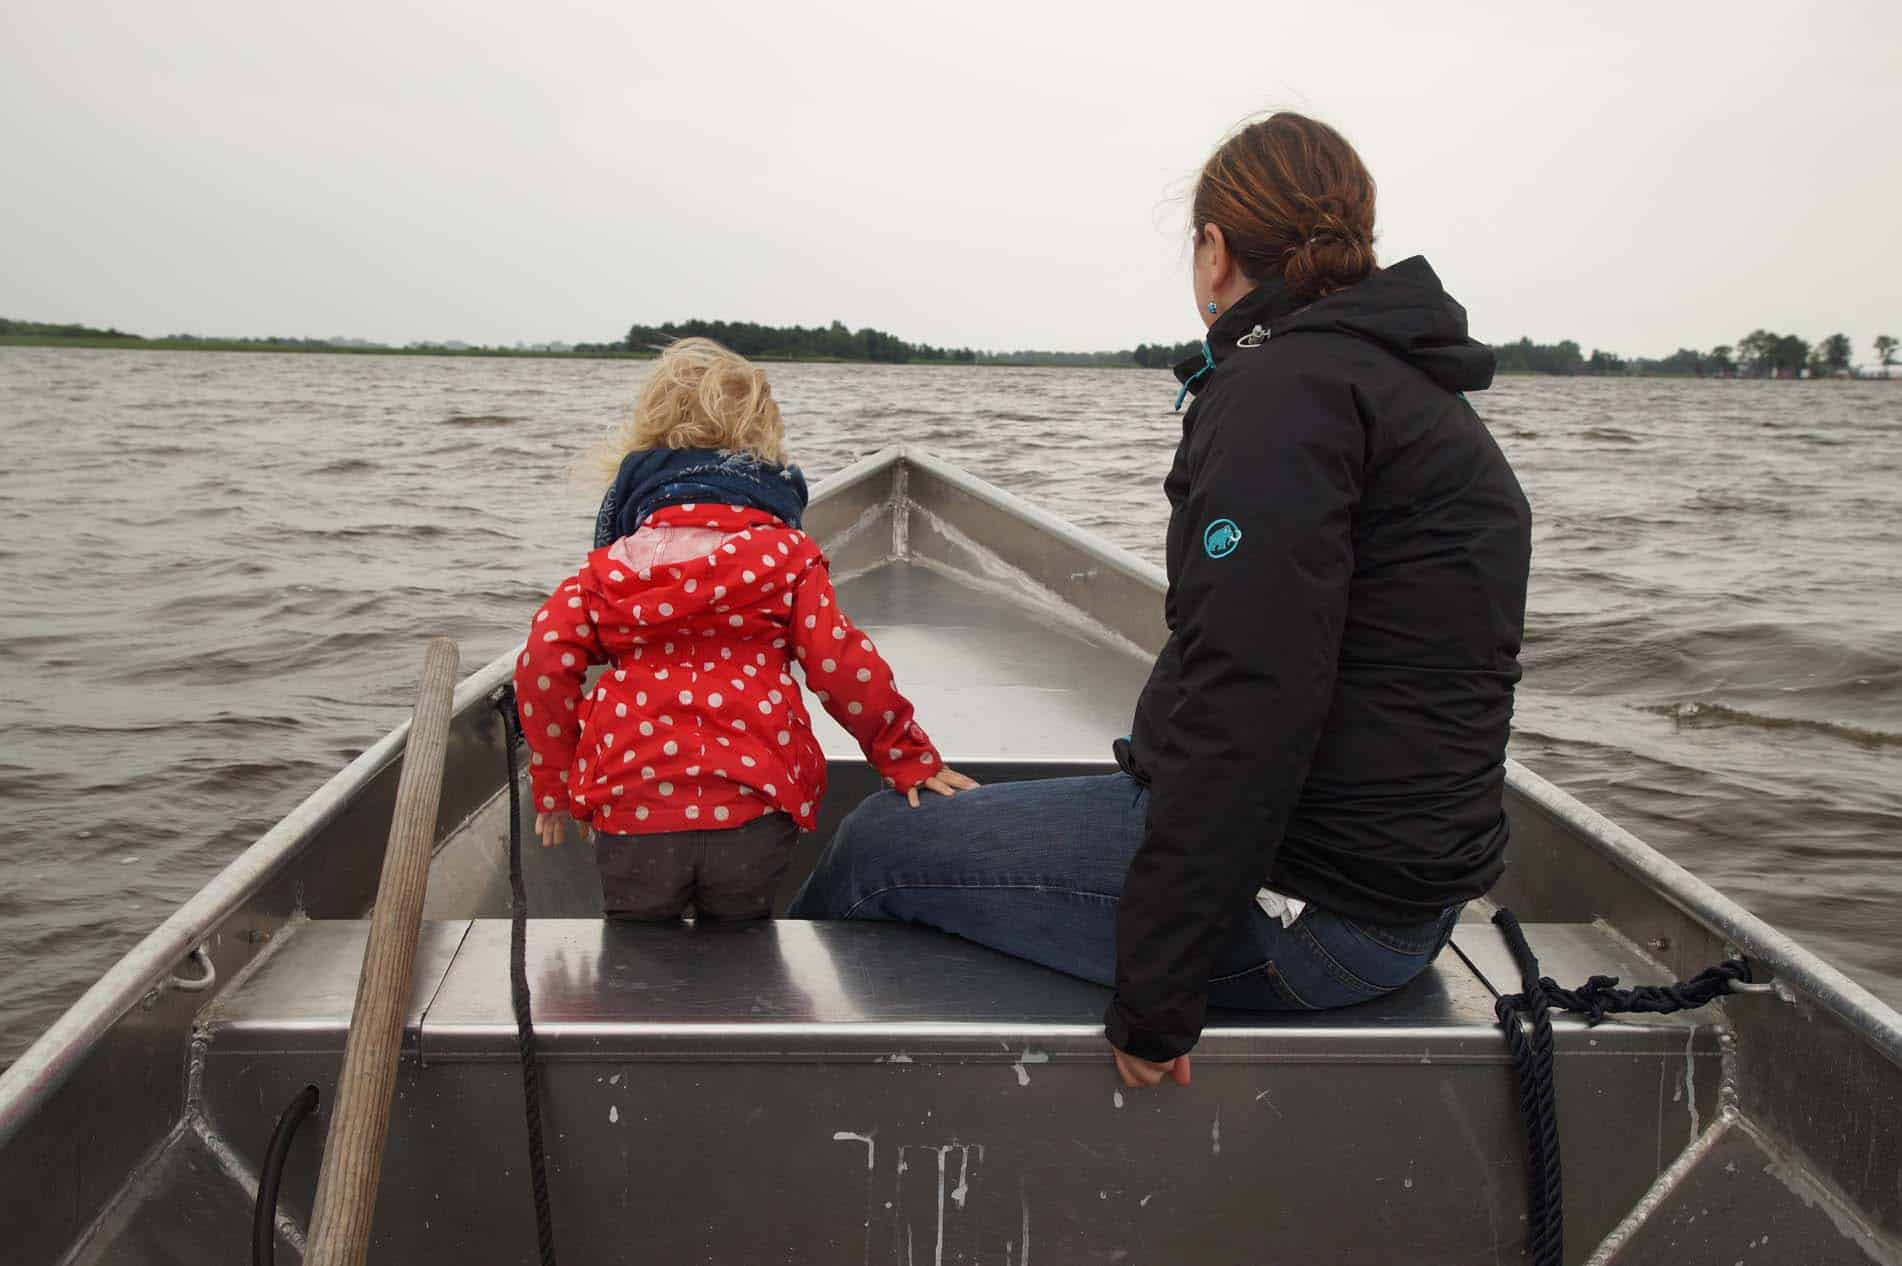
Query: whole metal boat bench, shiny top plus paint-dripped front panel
pixel 876 1092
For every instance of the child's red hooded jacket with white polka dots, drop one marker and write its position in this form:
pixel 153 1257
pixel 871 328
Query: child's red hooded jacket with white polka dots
pixel 699 725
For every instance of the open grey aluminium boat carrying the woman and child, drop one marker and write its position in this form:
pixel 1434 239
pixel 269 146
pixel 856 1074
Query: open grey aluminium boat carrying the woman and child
pixel 796 1092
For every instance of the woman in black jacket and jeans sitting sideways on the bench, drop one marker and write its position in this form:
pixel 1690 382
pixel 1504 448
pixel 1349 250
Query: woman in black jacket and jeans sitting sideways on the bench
pixel 1313 782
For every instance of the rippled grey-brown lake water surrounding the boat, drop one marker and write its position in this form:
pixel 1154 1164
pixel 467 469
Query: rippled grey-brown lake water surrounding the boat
pixel 218 573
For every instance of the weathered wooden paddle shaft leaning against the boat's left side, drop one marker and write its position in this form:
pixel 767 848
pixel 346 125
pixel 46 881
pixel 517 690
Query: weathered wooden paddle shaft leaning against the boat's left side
pixel 360 1122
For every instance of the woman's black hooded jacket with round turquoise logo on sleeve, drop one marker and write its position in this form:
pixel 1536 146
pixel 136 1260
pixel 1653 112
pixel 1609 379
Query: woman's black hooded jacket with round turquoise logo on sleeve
pixel 1348 564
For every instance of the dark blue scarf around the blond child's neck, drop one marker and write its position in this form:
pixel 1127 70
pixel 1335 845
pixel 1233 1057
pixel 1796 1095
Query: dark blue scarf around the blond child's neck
pixel 655 478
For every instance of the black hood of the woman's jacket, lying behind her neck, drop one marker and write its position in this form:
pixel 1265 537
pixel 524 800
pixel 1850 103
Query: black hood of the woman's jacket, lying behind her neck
pixel 1403 309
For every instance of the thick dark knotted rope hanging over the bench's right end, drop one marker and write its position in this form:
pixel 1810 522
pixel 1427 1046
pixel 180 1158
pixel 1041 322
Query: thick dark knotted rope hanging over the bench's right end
pixel 1532 1062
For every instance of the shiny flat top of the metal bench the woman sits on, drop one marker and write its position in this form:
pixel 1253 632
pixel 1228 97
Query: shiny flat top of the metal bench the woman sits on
pixel 608 988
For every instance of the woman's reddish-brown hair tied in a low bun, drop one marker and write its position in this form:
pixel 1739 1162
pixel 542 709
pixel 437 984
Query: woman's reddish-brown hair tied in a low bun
pixel 1294 202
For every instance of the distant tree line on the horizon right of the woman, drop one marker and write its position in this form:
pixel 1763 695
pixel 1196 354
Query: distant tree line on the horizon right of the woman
pixel 1758 355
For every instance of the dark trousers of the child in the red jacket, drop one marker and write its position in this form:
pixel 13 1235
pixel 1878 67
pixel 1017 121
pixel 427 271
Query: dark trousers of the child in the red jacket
pixel 728 873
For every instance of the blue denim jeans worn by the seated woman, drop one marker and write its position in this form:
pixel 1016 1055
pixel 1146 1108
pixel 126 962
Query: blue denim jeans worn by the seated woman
pixel 1036 870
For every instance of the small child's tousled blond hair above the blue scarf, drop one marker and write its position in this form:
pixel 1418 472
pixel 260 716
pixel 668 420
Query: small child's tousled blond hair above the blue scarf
pixel 699 396
